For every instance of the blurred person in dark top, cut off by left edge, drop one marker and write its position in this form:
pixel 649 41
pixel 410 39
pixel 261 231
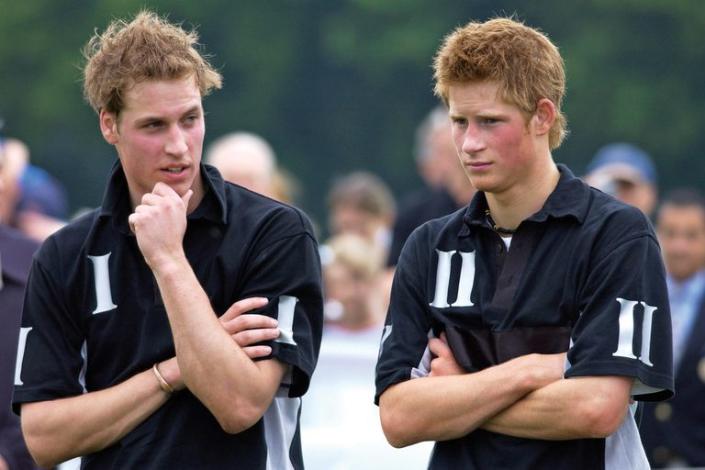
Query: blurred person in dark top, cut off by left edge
pixel 16 252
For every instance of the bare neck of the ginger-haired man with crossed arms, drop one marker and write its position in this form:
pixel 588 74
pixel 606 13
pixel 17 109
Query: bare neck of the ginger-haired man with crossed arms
pixel 510 208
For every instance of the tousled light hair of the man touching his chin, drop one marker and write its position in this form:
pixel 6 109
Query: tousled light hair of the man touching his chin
pixel 146 48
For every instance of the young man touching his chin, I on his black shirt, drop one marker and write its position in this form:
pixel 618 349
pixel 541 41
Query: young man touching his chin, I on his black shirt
pixel 133 352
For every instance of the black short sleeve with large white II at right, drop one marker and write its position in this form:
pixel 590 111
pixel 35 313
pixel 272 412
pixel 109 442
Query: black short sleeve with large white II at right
pixel 624 327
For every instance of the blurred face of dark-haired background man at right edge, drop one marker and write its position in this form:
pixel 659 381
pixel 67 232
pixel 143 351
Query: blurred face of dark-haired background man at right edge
pixel 681 233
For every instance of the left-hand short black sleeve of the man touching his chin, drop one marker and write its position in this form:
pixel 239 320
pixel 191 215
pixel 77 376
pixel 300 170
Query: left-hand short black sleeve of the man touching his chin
pixel 49 360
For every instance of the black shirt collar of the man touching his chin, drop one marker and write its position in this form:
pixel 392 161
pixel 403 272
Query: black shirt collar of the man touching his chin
pixel 116 200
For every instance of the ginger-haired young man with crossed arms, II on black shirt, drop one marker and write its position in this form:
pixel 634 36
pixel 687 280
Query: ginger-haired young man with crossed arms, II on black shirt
pixel 544 300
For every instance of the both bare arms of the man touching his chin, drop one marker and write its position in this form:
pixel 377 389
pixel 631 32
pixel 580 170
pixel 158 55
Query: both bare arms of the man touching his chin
pixel 213 355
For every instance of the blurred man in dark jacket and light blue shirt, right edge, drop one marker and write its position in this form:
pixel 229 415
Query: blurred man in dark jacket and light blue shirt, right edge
pixel 673 432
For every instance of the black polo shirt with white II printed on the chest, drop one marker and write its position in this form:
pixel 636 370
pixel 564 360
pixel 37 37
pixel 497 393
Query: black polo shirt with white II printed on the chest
pixel 583 275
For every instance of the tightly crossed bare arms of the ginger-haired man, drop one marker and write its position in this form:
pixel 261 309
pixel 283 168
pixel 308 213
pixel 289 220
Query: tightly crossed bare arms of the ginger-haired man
pixel 524 397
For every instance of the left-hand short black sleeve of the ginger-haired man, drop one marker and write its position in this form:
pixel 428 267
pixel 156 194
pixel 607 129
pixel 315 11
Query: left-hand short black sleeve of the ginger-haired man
pixel 408 324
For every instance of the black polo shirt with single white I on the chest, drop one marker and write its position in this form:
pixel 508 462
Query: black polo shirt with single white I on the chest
pixel 93 317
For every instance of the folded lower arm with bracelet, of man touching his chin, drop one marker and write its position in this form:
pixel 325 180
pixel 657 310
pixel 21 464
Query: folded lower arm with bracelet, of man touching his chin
pixel 58 430
